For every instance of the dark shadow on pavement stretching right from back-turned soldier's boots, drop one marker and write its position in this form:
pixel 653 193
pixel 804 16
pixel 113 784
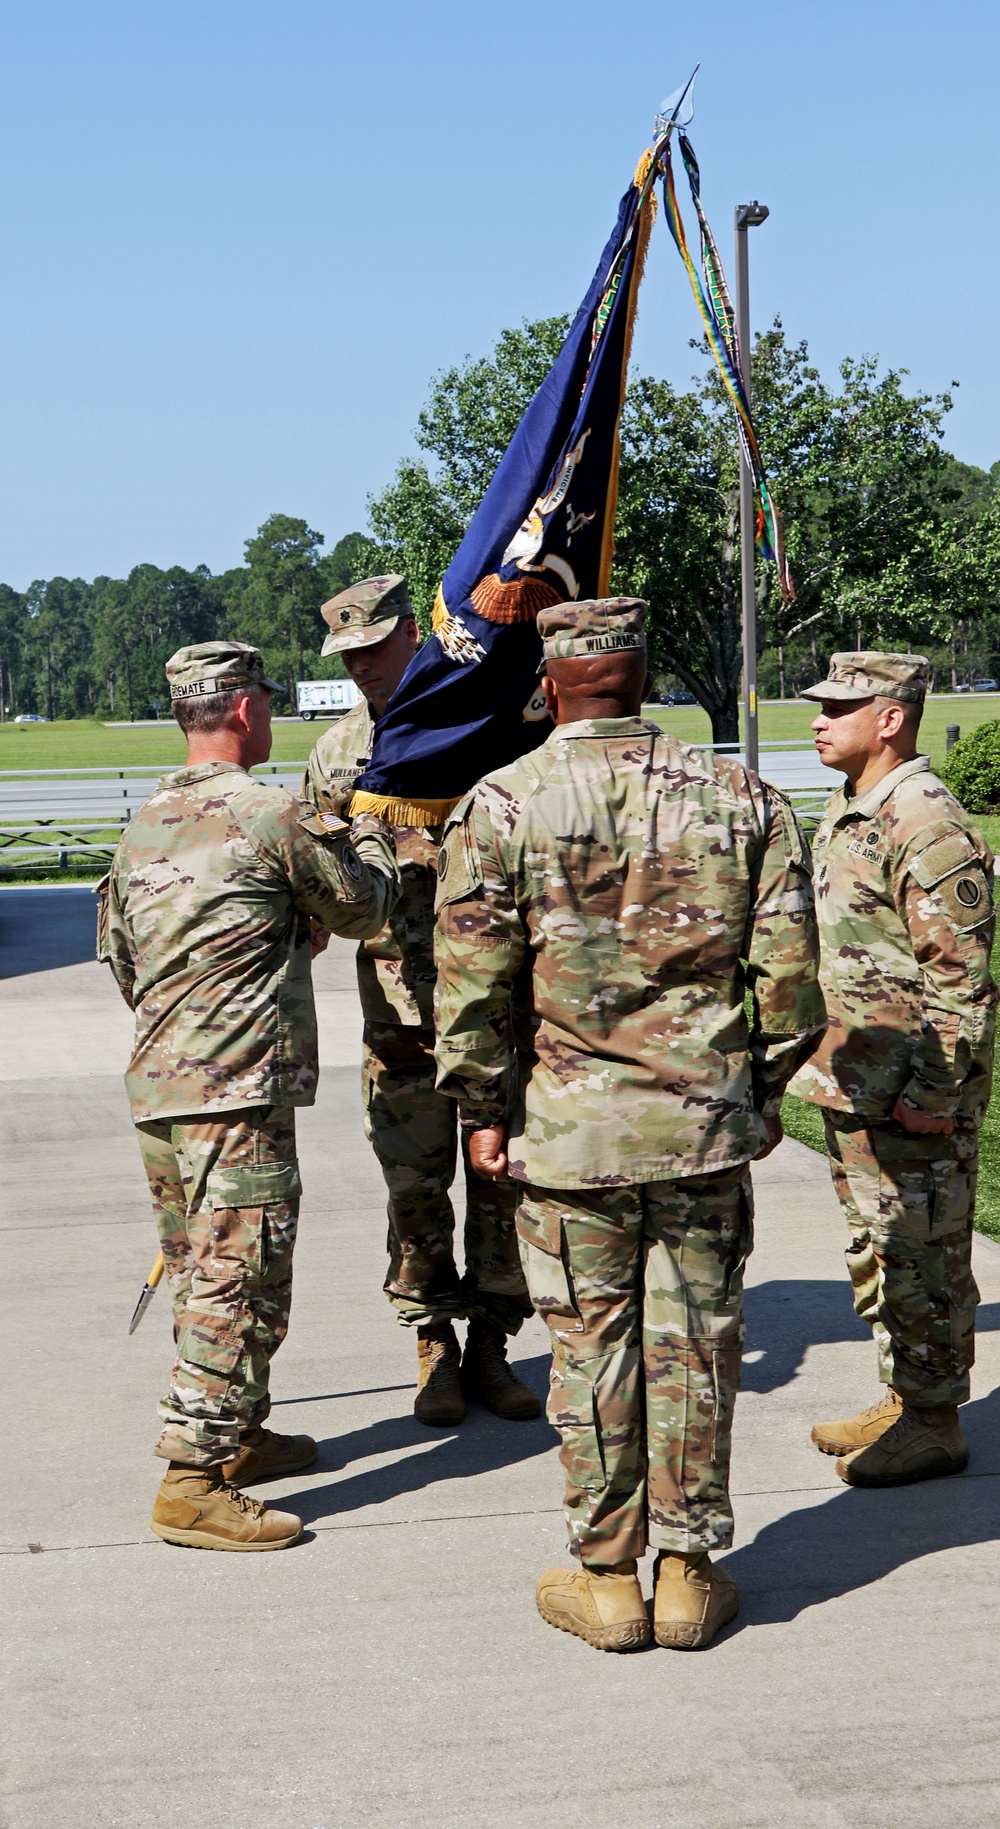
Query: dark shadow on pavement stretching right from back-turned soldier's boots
pixel 856 1539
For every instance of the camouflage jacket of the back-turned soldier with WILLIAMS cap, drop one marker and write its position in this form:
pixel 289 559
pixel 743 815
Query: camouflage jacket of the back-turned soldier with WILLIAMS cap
pixel 604 906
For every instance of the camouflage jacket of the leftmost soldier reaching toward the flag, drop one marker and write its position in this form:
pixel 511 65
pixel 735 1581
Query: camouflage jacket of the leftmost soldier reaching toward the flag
pixel 207 932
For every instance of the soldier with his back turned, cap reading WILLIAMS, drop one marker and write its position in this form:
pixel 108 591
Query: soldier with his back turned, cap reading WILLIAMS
pixel 604 906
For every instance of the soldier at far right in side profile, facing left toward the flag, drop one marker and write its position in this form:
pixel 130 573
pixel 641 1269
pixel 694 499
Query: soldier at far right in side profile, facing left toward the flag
pixel 904 888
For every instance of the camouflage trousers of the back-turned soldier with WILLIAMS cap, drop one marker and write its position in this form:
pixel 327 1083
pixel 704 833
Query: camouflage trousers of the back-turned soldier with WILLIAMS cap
pixel 643 1292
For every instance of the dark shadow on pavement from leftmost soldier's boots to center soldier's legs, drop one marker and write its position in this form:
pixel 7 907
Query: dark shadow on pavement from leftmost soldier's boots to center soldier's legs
pixel 480 1446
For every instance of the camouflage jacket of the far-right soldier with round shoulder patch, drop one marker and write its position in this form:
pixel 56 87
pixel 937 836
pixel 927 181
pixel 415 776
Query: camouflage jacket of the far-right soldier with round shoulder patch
pixel 904 893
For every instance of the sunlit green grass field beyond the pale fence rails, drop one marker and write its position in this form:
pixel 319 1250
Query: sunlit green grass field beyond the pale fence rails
pixel 90 745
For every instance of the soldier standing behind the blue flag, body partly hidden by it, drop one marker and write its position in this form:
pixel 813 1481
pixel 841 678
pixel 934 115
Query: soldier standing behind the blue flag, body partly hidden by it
pixel 410 1126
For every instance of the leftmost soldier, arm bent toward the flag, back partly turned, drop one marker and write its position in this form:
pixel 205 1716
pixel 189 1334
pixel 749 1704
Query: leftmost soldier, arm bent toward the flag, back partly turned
pixel 207 928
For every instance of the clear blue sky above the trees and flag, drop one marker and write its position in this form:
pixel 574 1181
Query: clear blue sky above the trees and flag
pixel 239 239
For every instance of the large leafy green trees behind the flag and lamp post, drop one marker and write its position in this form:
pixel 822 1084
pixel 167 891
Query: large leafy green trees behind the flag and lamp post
pixel 893 542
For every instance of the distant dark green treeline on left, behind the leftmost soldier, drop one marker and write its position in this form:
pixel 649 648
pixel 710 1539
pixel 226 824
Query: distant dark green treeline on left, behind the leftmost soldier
pixel 98 650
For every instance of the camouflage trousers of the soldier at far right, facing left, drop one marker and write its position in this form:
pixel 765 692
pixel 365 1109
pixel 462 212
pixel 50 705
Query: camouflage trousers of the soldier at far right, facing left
pixel 910 1210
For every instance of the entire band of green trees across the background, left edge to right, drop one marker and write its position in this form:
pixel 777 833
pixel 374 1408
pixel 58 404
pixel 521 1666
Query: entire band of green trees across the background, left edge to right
pixel 893 542
